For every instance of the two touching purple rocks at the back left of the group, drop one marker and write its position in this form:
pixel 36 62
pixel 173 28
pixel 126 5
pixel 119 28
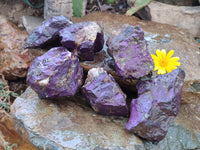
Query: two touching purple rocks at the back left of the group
pixel 85 38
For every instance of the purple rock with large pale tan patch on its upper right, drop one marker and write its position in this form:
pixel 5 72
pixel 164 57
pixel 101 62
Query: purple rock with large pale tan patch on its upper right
pixel 86 37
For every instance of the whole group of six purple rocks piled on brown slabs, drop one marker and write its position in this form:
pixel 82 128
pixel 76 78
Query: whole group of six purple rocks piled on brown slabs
pixel 58 73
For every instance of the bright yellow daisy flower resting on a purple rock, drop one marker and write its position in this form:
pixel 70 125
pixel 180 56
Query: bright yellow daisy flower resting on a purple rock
pixel 165 63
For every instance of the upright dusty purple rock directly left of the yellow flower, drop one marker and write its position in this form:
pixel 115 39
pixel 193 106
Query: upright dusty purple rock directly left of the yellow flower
pixel 129 50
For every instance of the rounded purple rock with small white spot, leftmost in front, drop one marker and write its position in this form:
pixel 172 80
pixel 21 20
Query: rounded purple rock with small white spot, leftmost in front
pixel 56 73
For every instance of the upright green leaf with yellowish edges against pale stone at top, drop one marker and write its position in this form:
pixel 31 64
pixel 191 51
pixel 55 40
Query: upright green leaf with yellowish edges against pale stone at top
pixel 77 6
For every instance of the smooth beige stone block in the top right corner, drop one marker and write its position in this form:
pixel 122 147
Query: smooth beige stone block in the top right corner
pixel 186 17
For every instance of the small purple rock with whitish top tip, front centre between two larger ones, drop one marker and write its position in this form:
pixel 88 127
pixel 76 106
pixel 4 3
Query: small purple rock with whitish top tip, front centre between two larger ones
pixel 104 94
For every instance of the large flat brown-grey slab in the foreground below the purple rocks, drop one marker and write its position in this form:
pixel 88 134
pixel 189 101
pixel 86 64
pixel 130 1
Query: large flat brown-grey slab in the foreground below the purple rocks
pixel 40 121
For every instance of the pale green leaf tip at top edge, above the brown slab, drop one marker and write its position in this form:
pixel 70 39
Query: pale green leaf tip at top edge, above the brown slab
pixel 139 4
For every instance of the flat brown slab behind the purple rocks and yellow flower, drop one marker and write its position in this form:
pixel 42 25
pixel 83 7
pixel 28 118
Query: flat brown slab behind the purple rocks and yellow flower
pixel 158 36
